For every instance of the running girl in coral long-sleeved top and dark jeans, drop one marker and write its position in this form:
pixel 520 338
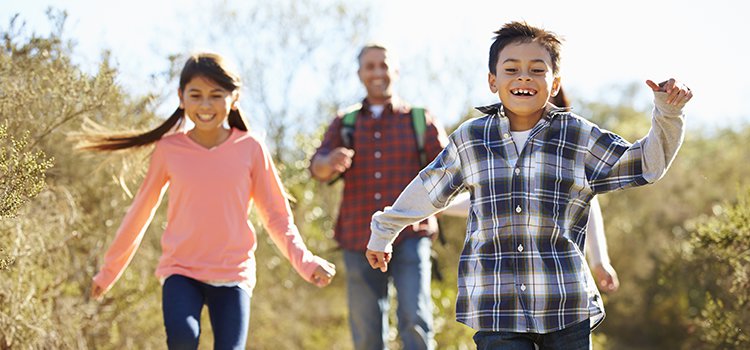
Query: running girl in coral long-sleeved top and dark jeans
pixel 214 172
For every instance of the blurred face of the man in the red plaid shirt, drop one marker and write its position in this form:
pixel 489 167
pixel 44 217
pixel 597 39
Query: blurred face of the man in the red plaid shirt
pixel 376 71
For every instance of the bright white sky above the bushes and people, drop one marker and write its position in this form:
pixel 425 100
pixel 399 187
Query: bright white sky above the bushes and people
pixel 607 43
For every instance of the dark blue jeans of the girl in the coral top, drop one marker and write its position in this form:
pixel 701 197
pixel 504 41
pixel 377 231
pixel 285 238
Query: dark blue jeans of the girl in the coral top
pixel 228 308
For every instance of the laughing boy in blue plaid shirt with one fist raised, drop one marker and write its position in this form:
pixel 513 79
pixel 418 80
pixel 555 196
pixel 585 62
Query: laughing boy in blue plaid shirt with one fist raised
pixel 531 170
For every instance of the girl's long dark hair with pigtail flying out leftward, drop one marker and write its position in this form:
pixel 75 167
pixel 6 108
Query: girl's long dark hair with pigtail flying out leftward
pixel 207 65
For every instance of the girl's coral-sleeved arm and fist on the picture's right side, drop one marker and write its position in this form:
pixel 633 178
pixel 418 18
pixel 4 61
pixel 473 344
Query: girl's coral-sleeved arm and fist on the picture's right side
pixel 274 210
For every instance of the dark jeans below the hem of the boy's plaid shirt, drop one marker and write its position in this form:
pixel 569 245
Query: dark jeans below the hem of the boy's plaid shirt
pixel 575 337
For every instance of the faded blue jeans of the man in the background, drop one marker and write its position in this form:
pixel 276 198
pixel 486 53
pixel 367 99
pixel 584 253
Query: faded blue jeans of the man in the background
pixel 410 270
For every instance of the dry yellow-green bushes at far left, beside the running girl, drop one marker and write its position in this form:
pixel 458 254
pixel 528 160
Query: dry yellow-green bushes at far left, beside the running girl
pixel 53 242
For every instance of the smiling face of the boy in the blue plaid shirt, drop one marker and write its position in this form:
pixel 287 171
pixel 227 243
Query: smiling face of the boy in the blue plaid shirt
pixel 524 80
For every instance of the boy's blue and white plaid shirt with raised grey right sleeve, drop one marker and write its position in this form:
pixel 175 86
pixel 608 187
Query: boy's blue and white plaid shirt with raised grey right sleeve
pixel 522 268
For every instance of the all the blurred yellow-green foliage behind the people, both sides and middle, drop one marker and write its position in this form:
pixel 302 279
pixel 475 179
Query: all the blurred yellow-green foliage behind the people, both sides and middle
pixel 680 247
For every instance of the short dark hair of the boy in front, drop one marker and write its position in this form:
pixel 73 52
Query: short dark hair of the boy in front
pixel 522 32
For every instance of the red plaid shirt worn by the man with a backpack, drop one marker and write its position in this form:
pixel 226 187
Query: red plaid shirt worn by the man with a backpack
pixel 385 161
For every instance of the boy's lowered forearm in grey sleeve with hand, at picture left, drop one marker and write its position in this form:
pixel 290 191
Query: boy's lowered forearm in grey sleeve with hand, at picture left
pixel 412 205
